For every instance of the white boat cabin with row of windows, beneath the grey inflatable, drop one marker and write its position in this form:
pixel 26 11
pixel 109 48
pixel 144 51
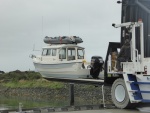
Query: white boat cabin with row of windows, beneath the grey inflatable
pixel 64 52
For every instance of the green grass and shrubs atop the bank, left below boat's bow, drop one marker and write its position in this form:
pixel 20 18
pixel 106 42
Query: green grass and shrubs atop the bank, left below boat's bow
pixel 27 79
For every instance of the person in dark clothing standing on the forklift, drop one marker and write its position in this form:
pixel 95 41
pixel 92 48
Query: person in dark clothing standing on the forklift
pixel 124 55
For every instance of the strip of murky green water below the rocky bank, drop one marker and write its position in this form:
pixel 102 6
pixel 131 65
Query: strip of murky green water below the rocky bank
pixel 30 102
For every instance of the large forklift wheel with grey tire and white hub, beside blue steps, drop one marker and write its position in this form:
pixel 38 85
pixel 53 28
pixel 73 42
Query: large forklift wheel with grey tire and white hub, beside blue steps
pixel 120 95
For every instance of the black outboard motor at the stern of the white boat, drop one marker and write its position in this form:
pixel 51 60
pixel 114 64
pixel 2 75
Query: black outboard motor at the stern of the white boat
pixel 96 68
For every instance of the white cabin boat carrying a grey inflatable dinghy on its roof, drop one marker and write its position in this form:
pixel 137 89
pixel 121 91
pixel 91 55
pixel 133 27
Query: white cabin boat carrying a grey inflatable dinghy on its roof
pixel 62 58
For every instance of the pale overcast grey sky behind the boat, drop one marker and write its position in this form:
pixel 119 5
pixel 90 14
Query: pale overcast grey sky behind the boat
pixel 25 23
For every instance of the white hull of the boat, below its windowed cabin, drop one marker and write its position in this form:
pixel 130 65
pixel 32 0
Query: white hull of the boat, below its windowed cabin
pixel 62 70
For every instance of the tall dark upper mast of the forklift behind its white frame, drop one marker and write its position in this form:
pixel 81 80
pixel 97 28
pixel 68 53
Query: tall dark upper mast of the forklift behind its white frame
pixel 132 11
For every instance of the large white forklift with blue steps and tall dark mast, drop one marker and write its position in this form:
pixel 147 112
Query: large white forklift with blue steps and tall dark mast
pixel 131 85
